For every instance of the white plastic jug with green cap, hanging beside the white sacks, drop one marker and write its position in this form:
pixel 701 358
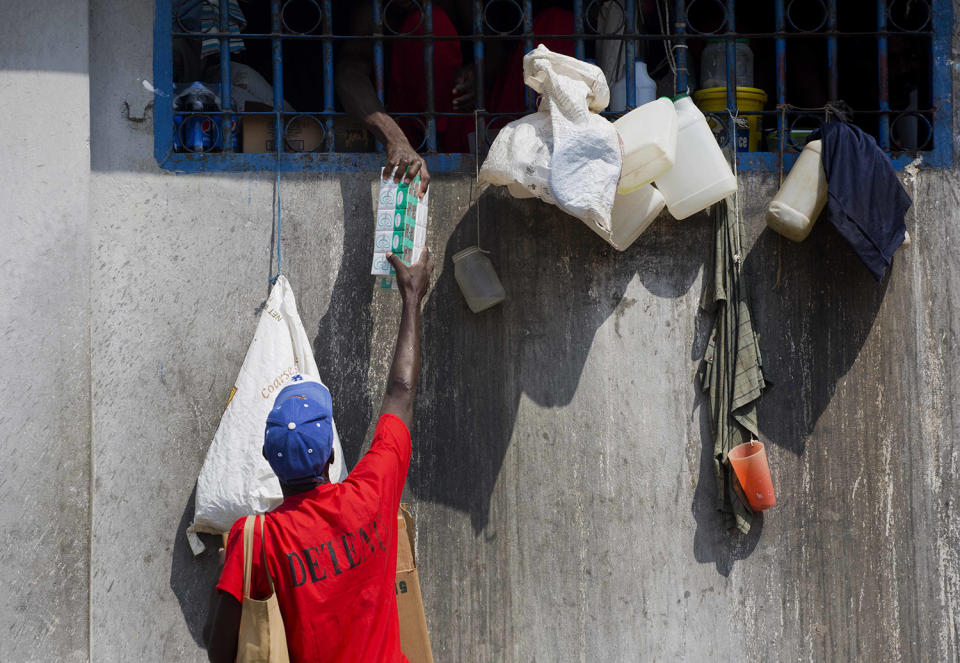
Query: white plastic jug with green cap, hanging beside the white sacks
pixel 700 175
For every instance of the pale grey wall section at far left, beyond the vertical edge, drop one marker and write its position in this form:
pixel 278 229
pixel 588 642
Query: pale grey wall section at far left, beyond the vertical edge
pixel 44 331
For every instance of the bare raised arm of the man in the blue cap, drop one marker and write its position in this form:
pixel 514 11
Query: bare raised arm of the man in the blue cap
pixel 405 370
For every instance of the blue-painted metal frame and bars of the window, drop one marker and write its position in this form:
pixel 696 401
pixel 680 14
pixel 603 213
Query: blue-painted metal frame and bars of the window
pixel 941 156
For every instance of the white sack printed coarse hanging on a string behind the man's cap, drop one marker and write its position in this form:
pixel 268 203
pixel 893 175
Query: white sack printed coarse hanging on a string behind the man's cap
pixel 235 479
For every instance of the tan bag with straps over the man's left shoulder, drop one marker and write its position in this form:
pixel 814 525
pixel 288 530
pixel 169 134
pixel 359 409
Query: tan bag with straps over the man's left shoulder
pixel 262 638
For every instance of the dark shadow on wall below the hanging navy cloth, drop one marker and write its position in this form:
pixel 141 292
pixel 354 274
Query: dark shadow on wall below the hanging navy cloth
pixel 813 325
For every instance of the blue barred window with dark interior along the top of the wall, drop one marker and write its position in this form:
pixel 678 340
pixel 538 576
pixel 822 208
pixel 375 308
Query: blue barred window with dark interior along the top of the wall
pixel 448 75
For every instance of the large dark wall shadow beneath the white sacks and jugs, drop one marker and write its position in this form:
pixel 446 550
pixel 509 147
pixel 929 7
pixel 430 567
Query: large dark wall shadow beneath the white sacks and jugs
pixel 562 283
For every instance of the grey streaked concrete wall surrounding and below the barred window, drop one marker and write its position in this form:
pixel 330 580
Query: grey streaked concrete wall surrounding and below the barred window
pixel 561 477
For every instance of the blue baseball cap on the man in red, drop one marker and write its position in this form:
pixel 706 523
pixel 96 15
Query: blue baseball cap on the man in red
pixel 299 437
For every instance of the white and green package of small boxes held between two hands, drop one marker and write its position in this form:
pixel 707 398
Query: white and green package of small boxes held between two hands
pixel 401 226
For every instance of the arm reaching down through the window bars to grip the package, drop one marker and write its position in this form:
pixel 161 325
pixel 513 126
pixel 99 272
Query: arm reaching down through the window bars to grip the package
pixel 359 98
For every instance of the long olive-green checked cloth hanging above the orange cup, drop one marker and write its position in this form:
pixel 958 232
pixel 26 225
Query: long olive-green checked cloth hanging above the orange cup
pixel 731 372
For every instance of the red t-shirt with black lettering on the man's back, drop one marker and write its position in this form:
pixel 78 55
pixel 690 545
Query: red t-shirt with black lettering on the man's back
pixel 332 554
